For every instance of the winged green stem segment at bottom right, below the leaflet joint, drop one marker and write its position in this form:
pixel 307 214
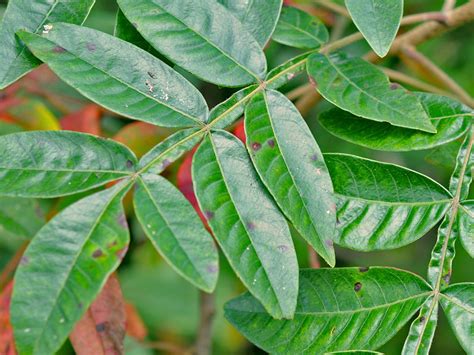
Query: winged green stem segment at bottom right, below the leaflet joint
pixel 422 329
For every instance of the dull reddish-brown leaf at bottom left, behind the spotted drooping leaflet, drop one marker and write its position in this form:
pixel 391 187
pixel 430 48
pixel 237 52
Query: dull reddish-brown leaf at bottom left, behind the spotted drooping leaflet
pixel 101 331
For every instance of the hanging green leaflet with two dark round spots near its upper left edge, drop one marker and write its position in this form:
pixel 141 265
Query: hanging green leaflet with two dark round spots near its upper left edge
pixel 292 167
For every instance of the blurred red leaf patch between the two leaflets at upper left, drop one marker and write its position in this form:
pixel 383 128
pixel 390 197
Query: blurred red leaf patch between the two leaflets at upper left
pixel 85 120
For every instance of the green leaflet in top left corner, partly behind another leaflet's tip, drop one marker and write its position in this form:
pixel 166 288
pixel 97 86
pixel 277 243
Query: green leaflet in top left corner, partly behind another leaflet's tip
pixel 29 15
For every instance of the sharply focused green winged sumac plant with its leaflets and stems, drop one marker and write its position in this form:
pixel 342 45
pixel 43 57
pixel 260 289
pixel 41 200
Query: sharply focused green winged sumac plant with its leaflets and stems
pixel 248 193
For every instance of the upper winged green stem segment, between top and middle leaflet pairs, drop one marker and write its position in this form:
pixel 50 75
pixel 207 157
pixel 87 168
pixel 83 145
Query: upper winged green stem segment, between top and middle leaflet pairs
pixel 232 109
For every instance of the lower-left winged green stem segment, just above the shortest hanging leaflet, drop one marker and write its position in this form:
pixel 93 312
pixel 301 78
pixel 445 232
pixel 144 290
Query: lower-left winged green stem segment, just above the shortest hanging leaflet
pixel 170 150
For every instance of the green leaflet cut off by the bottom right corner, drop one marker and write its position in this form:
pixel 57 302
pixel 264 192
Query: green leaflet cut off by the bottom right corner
pixel 458 305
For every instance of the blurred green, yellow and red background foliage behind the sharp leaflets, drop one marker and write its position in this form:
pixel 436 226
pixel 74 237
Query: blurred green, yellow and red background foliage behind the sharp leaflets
pixel 162 307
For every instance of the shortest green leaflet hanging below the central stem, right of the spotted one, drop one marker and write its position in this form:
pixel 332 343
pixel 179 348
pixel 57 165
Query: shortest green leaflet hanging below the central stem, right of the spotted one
pixel 175 229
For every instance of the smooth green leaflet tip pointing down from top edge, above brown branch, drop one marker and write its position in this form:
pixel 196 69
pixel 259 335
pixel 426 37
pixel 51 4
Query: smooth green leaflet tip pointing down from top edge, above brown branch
pixel 378 20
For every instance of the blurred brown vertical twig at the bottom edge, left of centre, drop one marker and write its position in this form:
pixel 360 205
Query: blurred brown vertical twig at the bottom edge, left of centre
pixel 207 309
